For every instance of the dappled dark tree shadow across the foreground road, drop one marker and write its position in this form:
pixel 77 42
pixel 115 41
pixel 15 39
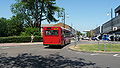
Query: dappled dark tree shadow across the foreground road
pixel 37 61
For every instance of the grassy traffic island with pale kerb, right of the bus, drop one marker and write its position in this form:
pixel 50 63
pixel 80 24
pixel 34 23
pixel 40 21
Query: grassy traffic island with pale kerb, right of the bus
pixel 101 48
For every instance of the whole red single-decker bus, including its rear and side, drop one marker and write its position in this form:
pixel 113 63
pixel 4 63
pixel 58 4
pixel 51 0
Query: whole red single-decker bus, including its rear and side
pixel 56 36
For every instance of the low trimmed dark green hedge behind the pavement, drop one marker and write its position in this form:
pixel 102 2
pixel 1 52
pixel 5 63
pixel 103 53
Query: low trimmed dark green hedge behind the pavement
pixel 19 39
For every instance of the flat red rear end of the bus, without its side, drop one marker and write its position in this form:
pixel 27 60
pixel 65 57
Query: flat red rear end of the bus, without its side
pixel 52 36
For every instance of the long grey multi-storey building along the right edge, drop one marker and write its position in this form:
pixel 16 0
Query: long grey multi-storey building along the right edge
pixel 110 27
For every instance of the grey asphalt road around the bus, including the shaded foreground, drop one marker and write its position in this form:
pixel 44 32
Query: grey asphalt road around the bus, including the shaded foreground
pixel 38 56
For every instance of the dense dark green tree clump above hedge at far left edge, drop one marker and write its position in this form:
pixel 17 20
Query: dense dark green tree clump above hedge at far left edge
pixel 10 27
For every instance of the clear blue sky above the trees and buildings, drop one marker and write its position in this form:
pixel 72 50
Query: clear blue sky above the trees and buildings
pixel 83 14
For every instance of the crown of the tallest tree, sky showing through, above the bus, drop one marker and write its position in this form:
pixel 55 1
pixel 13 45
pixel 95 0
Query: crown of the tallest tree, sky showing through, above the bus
pixel 35 11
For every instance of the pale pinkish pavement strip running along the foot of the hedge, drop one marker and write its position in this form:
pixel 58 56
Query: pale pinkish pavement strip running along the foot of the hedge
pixel 20 44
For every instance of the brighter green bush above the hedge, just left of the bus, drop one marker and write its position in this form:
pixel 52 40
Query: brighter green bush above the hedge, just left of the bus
pixel 31 31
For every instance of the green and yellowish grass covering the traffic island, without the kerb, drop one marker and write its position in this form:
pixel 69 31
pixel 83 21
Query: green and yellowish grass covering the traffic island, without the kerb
pixel 101 47
